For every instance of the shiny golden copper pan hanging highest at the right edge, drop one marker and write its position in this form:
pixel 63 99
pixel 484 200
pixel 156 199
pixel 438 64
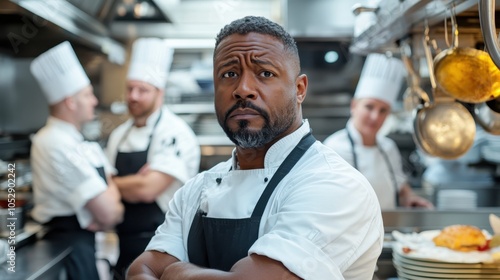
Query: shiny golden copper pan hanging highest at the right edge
pixel 467 74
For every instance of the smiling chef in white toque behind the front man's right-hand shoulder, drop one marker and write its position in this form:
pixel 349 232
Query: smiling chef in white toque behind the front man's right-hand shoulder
pixel 377 157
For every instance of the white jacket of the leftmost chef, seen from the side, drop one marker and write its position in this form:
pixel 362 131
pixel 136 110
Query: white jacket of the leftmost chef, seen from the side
pixel 64 171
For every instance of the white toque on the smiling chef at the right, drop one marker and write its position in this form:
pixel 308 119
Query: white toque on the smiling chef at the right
pixel 381 78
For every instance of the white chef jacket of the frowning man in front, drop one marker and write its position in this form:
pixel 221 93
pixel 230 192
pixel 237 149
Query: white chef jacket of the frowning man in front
pixel 322 221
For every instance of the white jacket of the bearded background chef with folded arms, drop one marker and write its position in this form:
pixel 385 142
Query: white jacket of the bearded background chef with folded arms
pixel 174 148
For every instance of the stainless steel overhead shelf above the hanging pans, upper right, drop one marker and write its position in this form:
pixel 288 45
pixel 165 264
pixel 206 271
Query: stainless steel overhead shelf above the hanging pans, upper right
pixel 403 19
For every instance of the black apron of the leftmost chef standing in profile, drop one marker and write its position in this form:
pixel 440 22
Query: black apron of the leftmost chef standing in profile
pixel 81 262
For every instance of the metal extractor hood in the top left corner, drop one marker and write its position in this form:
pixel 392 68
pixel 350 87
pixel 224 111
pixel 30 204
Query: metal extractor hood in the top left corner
pixel 29 27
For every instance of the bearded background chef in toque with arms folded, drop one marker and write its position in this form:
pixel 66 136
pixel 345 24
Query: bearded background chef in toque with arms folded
pixel 154 152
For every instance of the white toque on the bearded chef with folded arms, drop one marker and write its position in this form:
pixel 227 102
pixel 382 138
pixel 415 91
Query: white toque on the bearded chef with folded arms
pixel 150 61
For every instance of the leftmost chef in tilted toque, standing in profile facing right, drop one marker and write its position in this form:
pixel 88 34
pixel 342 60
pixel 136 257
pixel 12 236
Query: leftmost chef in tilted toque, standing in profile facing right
pixel 74 195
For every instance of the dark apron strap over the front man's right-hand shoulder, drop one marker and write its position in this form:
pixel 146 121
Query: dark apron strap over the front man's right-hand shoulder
pixel 282 171
